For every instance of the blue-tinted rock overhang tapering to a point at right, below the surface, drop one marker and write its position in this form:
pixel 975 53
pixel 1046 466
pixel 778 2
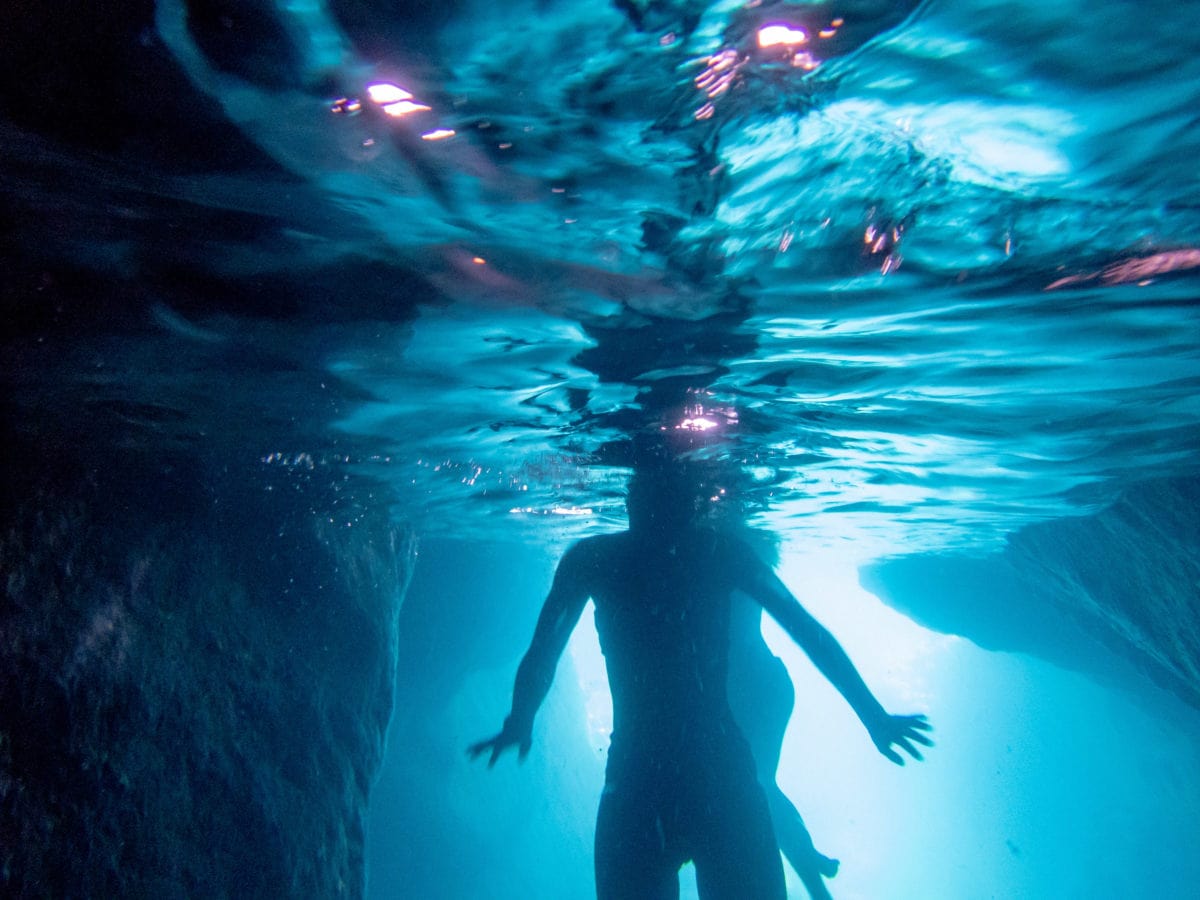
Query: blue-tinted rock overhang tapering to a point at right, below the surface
pixel 1124 583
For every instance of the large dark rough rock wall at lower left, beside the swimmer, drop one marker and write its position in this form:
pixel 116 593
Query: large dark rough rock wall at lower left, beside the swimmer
pixel 196 679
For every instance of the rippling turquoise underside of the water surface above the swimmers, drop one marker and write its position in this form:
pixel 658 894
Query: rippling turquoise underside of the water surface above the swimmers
pixel 943 283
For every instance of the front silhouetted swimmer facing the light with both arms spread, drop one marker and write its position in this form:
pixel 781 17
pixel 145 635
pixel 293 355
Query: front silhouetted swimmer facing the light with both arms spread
pixel 681 781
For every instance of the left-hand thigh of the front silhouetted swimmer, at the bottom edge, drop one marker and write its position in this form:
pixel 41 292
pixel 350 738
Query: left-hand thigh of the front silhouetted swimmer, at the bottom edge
pixel 632 859
